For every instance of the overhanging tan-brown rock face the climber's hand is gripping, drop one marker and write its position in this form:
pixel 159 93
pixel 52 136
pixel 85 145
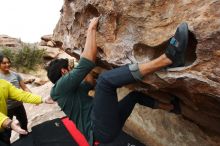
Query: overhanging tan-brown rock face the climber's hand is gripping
pixel 138 30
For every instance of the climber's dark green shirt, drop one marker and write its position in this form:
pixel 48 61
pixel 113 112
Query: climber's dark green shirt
pixel 71 93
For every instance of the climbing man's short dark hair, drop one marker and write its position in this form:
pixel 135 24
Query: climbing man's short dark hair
pixel 54 69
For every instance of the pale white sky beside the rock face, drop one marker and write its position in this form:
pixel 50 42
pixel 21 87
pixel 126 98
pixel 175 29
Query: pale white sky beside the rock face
pixel 28 20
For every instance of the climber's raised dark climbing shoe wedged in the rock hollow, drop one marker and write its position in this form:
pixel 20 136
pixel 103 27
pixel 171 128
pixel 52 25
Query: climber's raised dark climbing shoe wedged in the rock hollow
pixel 175 51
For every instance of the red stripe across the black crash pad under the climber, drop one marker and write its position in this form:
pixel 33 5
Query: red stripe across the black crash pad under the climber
pixel 74 132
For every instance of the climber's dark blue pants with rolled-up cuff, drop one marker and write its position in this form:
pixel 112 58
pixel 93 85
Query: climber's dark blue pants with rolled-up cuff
pixel 109 115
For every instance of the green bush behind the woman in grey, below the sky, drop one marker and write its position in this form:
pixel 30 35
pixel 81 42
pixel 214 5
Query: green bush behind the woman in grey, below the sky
pixel 26 58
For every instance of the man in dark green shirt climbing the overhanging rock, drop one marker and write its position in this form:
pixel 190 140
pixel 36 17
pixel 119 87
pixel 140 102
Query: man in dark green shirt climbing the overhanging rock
pixel 101 118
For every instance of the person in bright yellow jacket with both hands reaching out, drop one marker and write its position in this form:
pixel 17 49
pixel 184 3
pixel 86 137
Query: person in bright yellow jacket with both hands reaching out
pixel 8 91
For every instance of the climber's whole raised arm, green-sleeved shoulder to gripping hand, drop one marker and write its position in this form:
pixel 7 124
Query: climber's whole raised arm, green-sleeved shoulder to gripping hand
pixel 72 80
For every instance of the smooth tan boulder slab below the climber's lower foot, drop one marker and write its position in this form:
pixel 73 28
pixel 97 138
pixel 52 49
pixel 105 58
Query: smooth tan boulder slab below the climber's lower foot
pixel 160 128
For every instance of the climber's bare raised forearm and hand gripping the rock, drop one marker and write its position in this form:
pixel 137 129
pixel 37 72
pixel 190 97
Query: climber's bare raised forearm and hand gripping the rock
pixel 90 49
